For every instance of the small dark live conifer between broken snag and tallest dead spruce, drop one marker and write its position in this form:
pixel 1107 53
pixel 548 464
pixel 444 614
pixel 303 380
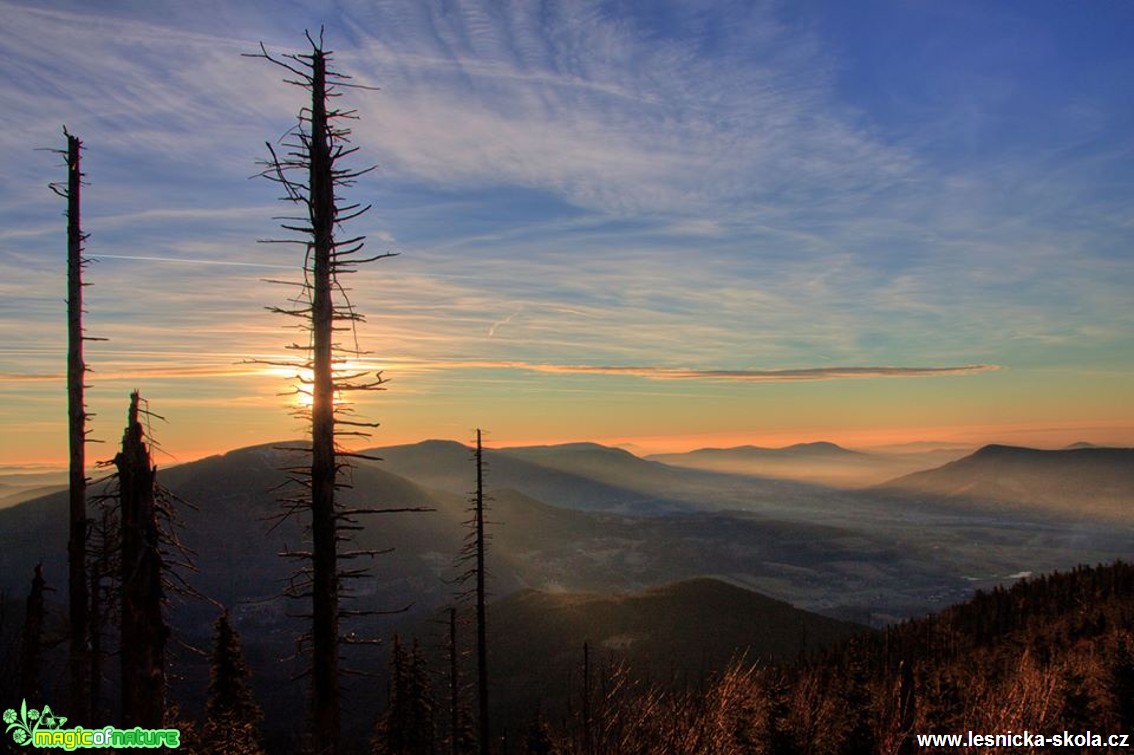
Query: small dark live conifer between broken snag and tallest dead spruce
pixel 233 717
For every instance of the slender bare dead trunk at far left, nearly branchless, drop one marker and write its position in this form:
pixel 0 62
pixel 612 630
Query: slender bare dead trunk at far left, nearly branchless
pixel 77 413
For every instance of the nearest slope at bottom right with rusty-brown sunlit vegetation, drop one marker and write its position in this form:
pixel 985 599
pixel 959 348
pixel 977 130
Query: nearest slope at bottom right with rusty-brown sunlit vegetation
pixel 1048 656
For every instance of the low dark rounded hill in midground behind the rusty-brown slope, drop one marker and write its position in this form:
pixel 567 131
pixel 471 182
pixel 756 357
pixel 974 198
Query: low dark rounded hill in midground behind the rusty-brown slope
pixel 673 635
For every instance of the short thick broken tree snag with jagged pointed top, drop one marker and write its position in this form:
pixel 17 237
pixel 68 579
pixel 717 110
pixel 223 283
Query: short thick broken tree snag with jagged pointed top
pixel 143 631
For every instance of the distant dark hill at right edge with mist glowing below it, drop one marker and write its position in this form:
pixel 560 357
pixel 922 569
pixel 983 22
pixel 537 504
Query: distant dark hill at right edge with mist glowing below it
pixel 1077 482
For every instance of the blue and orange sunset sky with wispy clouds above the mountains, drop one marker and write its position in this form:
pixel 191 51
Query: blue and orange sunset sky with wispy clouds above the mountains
pixel 662 225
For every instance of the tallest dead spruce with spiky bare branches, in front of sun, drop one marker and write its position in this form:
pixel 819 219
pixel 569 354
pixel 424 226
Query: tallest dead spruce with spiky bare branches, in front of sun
pixel 309 168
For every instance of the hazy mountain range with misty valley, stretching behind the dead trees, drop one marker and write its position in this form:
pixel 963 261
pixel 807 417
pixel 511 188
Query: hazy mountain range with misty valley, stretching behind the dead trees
pixel 595 540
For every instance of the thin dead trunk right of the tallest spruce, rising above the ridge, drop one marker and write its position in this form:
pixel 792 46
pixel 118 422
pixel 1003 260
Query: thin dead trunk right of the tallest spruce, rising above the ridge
pixel 475 556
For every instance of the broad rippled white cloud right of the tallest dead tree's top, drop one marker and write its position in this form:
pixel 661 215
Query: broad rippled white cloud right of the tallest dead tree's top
pixel 590 107
